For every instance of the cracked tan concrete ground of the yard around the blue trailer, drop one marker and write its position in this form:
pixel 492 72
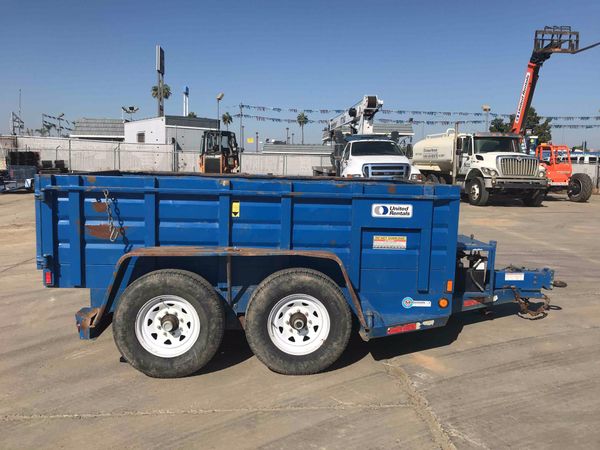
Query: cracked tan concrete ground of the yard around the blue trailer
pixel 480 382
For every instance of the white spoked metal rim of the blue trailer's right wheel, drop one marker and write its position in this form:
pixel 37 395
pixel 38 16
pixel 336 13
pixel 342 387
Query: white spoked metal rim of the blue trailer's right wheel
pixel 285 319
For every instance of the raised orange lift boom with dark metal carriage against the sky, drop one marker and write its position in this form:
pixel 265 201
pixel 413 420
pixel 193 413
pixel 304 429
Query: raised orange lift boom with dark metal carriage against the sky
pixel 555 39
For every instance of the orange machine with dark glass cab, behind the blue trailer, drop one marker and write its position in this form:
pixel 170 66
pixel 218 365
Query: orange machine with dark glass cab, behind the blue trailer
pixel 219 153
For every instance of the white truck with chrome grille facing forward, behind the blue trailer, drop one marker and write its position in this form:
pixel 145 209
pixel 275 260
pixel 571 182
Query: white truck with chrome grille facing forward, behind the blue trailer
pixel 376 157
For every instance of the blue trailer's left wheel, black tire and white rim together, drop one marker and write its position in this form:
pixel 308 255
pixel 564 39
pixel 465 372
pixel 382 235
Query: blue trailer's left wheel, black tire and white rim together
pixel 169 323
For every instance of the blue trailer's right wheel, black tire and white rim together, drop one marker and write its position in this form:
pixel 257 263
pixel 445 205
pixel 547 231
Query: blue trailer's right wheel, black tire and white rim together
pixel 298 322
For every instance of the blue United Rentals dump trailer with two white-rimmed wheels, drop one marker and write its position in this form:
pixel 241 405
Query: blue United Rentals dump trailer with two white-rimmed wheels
pixel 173 260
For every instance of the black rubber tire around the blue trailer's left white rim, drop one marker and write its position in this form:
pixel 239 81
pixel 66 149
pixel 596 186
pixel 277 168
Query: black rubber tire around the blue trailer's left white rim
pixel 197 292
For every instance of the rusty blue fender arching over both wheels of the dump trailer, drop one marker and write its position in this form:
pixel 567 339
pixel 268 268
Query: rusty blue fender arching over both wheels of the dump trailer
pixel 92 321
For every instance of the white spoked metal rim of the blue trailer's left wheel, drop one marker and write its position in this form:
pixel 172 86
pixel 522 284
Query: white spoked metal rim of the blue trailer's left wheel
pixel 154 320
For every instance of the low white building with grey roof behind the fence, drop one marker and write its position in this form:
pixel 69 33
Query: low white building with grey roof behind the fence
pixel 185 132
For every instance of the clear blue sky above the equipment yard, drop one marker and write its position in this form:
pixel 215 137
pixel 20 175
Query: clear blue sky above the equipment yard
pixel 89 58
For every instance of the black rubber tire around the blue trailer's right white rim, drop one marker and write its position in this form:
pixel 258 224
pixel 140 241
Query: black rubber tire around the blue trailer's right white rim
pixel 270 293
